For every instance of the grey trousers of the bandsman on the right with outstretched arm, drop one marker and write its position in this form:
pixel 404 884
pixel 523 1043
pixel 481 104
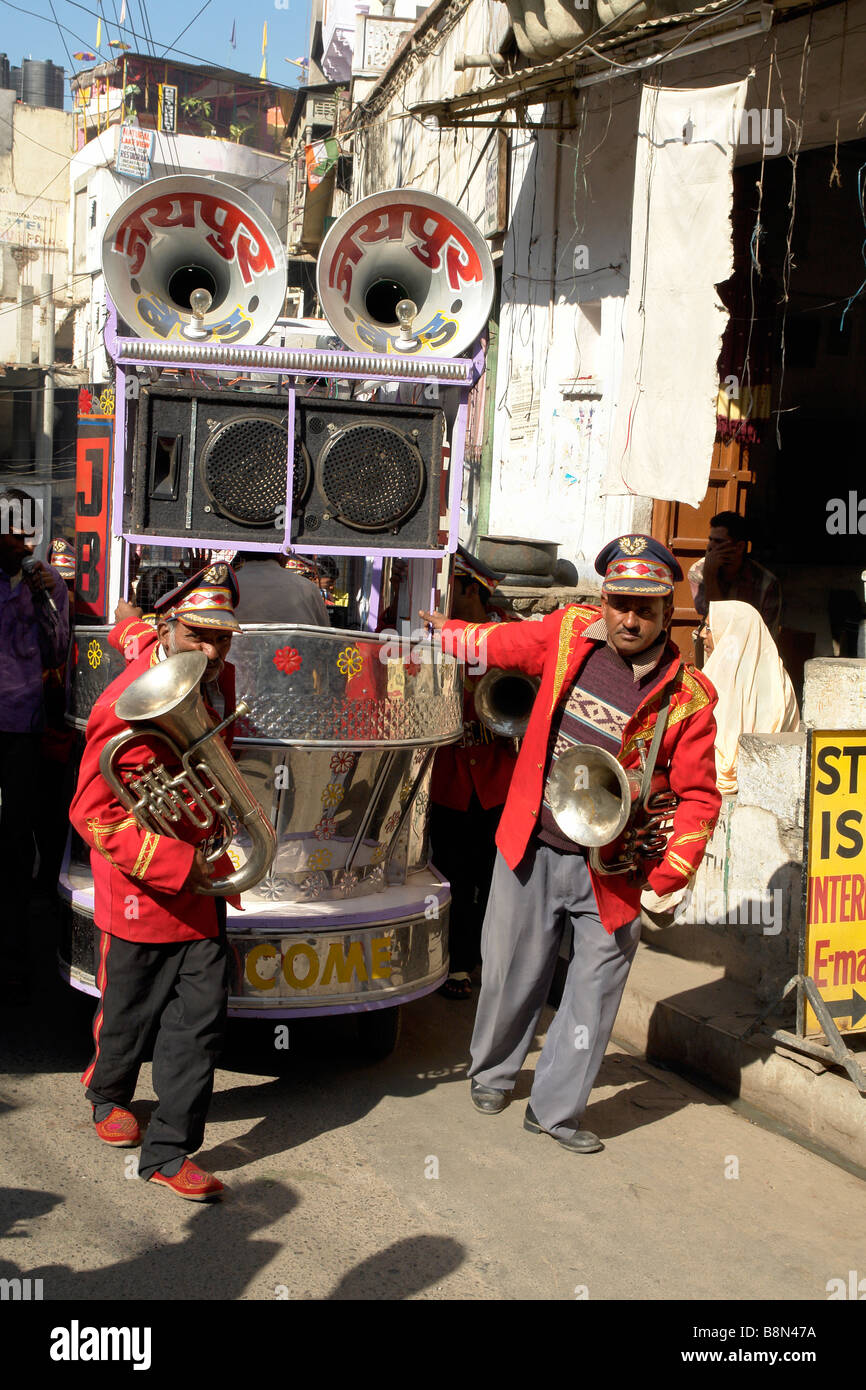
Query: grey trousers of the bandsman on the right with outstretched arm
pixel 526 917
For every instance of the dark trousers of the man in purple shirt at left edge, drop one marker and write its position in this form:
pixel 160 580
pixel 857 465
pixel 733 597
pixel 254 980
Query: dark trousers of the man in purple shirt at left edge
pixel 20 764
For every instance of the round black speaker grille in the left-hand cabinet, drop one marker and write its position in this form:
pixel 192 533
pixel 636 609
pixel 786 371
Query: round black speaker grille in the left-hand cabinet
pixel 244 468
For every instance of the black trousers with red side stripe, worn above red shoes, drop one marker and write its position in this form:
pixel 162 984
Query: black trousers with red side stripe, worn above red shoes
pixel 174 995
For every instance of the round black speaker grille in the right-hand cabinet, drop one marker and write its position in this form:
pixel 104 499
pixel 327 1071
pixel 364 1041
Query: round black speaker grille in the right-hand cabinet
pixel 372 476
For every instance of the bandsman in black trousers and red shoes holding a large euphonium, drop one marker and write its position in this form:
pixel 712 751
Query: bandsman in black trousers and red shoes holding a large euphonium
pixel 162 946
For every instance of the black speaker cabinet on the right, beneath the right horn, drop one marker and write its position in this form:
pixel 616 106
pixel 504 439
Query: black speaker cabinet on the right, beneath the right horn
pixel 376 475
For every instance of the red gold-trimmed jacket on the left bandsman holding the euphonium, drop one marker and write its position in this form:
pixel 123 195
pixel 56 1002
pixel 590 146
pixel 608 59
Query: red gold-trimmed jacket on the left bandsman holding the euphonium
pixel 140 876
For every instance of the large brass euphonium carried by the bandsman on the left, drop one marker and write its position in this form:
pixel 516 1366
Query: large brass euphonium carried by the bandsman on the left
pixel 209 793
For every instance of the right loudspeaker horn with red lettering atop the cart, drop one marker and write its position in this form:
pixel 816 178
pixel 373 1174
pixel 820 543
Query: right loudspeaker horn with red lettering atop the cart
pixel 405 245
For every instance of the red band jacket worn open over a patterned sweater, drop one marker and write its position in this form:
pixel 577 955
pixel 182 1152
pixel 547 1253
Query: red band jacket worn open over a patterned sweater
pixel 555 650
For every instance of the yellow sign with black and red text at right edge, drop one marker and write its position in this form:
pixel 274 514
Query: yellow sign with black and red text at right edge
pixel 836 878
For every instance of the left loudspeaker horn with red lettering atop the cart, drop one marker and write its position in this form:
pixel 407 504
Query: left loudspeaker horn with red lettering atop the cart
pixel 186 234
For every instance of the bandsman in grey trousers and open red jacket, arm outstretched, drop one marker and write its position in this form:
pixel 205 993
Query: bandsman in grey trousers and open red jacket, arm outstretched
pixel 605 676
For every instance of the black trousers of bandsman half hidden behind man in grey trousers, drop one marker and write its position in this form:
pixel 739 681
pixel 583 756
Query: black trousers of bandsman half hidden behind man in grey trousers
pixel 462 847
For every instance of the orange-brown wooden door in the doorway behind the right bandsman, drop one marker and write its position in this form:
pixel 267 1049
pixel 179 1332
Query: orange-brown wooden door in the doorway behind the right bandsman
pixel 685 530
